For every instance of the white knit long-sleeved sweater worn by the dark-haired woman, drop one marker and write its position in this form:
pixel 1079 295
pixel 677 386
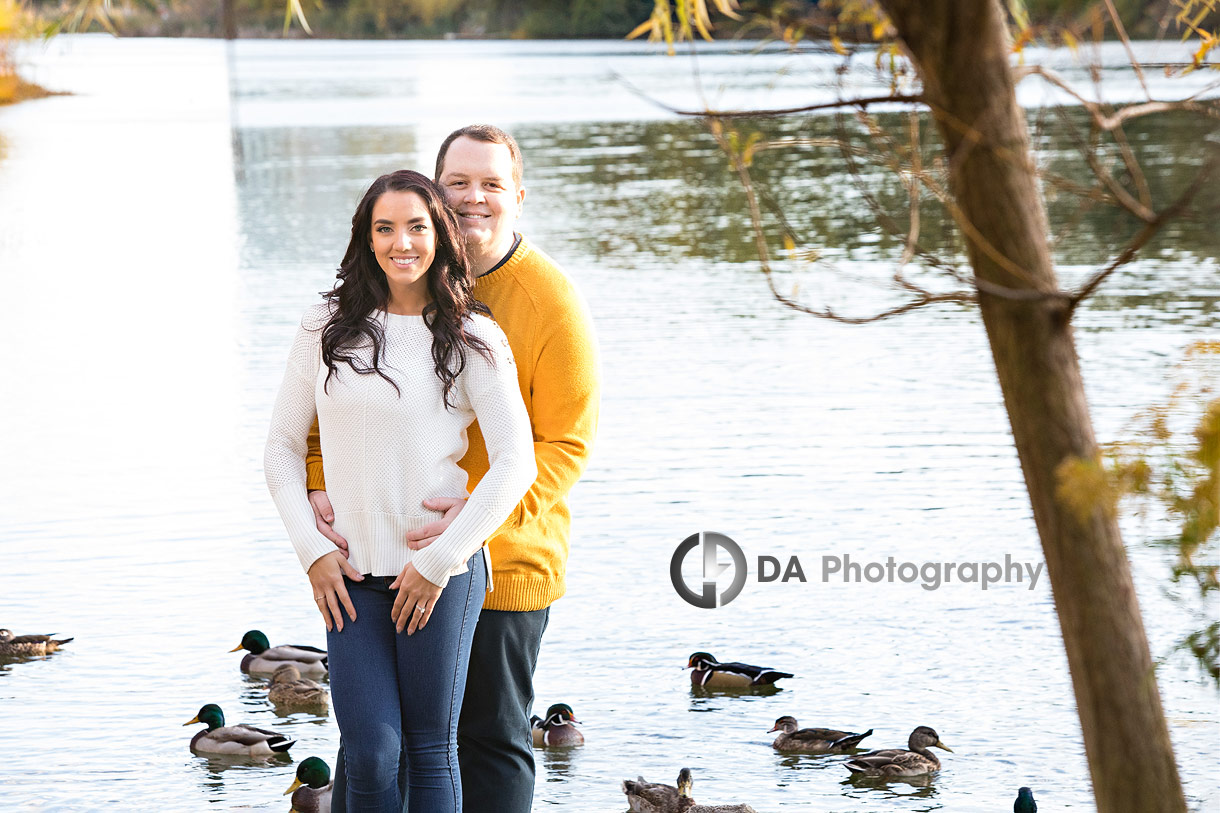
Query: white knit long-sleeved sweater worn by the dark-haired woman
pixel 385 453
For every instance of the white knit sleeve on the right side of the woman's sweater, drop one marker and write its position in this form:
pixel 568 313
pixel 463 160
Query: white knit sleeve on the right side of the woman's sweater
pixel 496 399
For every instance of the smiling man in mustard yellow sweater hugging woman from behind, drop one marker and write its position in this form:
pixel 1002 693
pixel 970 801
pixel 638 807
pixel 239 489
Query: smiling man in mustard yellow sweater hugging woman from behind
pixel 548 328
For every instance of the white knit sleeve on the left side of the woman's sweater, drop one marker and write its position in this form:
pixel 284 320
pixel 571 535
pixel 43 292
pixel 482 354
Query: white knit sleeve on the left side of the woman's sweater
pixel 284 461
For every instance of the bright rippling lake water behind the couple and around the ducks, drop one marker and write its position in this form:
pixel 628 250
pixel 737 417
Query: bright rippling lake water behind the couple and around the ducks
pixel 163 230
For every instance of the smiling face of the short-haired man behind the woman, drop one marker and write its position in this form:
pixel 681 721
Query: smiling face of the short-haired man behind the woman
pixel 478 179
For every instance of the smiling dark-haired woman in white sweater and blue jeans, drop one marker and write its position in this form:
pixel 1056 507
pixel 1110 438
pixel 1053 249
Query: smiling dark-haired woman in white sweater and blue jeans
pixel 396 364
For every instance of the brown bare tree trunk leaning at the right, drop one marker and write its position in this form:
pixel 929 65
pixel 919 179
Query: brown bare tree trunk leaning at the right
pixel 962 52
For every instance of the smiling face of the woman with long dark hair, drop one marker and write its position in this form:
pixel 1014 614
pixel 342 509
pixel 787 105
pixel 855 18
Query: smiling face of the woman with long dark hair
pixel 404 242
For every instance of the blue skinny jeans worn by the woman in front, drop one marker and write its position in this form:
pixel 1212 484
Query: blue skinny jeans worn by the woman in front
pixel 396 694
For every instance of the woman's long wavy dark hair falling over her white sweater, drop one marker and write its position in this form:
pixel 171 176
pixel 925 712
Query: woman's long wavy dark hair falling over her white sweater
pixel 362 290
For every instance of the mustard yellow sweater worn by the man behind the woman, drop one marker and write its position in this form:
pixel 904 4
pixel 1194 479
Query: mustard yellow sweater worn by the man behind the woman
pixel 552 339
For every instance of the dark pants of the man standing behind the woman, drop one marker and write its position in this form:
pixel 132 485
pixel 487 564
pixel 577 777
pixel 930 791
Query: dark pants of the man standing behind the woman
pixel 495 745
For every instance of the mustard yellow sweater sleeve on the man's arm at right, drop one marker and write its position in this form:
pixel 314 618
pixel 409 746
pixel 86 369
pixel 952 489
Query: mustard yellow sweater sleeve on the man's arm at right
pixel 565 396
